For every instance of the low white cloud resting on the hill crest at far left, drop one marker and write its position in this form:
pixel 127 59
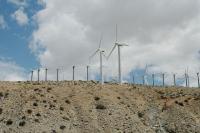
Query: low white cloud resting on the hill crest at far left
pixel 10 71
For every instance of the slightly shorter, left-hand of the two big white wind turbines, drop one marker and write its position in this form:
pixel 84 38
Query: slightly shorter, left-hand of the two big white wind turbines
pixel 101 53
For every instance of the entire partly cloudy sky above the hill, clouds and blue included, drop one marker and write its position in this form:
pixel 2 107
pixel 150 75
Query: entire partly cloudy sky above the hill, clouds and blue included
pixel 163 37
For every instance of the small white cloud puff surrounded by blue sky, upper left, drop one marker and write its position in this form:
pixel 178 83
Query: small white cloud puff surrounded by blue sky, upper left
pixel 20 16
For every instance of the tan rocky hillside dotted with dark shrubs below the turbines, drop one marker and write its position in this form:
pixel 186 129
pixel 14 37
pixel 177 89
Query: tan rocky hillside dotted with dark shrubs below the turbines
pixel 87 107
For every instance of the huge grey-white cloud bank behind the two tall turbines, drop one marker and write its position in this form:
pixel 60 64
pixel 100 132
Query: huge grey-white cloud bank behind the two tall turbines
pixel 163 34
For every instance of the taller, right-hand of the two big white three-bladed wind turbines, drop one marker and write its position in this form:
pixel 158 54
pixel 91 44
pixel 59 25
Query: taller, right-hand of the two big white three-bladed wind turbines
pixel 118 45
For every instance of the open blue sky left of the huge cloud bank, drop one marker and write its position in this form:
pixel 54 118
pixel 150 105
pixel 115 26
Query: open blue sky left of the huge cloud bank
pixel 14 39
